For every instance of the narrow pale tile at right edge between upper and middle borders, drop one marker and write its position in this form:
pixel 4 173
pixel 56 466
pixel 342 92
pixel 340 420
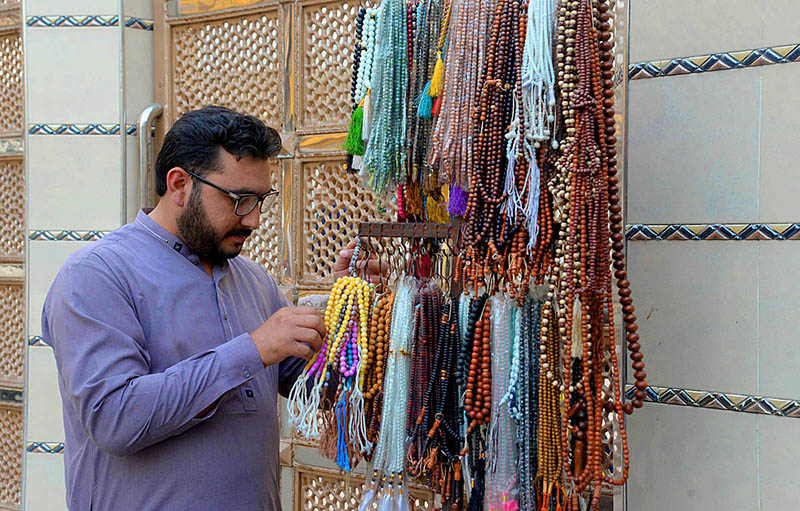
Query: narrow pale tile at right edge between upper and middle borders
pixel 780 151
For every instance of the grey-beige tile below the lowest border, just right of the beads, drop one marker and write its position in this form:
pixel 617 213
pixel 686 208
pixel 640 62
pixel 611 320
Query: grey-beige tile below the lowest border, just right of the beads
pixel 690 459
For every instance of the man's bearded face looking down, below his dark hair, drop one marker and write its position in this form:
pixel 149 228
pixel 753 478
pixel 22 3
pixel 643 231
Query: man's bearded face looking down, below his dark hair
pixel 208 223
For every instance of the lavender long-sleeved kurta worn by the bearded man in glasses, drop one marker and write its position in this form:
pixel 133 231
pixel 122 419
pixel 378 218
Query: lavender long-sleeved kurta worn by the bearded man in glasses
pixel 144 340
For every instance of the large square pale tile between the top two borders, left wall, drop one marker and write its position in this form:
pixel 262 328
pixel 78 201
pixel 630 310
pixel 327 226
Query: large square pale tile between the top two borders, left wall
pixel 79 83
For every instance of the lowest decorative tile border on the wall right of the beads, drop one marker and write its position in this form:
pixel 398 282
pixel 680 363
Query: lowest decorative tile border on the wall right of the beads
pixel 720 401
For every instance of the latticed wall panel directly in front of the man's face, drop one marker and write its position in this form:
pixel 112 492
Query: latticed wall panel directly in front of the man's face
pixel 264 245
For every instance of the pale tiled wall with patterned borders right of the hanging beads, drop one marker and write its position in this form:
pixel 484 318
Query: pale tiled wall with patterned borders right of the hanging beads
pixel 712 185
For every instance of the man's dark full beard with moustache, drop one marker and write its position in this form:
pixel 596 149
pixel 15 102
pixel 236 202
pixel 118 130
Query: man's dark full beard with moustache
pixel 198 233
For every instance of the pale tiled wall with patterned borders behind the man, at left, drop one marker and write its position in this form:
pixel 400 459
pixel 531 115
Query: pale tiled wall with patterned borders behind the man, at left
pixel 82 103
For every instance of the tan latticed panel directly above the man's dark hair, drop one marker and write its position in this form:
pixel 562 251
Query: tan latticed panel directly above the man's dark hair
pixel 234 62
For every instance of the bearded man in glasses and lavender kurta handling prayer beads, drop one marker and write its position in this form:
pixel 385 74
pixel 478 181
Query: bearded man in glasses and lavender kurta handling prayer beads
pixel 171 348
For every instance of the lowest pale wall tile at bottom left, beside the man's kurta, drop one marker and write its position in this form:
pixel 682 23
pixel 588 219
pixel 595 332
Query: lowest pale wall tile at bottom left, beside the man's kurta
pixel 44 483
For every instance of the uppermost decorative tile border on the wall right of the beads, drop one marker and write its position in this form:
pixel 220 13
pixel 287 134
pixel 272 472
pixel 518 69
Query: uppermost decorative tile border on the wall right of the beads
pixel 715 62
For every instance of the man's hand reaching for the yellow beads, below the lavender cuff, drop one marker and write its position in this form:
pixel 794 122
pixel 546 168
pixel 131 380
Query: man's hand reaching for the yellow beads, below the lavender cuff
pixel 291 331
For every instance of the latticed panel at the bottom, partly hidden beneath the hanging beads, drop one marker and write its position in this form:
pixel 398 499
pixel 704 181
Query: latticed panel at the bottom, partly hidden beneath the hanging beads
pixel 324 490
